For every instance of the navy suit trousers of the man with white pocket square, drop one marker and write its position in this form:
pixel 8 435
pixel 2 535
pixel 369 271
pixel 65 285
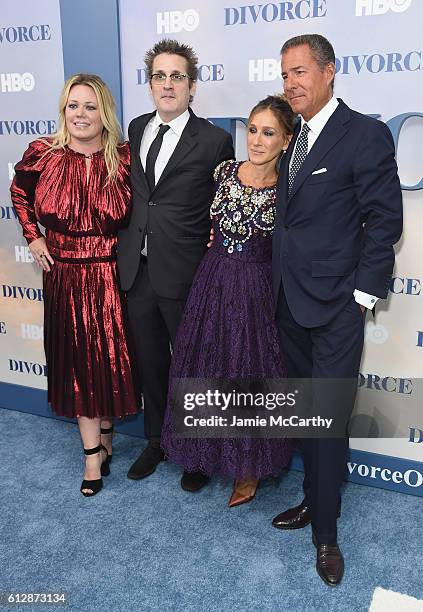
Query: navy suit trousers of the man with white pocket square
pixel 329 351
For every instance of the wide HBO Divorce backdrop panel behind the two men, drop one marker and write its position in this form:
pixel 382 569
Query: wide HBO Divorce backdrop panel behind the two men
pixel 379 63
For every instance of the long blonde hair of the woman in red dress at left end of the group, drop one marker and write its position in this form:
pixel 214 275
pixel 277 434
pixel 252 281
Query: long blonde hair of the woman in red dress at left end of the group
pixel 111 136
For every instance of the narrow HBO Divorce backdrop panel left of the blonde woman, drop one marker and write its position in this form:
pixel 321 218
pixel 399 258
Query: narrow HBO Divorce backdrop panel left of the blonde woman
pixel 31 77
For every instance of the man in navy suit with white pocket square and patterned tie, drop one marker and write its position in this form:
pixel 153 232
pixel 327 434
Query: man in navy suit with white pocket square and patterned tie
pixel 339 213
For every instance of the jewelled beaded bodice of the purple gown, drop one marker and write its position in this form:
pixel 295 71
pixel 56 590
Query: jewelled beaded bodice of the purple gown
pixel 242 215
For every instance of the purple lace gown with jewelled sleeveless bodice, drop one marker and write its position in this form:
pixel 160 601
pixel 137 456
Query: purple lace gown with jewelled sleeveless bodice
pixel 228 328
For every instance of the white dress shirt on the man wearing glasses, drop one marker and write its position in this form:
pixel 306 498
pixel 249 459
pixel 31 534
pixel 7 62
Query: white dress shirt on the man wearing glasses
pixel 170 140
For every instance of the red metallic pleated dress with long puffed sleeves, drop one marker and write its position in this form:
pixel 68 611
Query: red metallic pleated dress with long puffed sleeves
pixel 85 323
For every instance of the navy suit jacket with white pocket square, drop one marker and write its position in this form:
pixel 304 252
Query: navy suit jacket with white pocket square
pixel 336 231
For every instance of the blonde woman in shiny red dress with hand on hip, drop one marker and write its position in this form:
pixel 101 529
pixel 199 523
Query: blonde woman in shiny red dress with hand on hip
pixel 76 185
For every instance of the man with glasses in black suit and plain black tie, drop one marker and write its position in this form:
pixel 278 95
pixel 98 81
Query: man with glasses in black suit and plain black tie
pixel 173 156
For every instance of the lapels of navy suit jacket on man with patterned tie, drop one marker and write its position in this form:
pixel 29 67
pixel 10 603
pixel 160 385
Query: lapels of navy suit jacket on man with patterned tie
pixel 334 130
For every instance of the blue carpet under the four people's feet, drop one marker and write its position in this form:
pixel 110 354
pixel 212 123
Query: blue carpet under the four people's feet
pixel 148 545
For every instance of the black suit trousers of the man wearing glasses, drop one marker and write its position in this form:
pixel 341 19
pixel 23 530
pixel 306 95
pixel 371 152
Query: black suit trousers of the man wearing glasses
pixel 154 323
